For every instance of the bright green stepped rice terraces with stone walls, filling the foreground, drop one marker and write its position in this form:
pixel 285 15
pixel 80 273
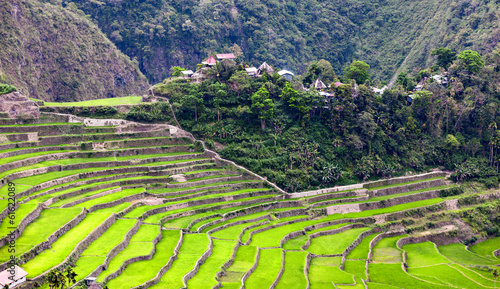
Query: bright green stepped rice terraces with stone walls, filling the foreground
pixel 140 206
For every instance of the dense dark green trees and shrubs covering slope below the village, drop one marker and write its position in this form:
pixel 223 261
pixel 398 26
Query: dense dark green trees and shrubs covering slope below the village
pixel 300 140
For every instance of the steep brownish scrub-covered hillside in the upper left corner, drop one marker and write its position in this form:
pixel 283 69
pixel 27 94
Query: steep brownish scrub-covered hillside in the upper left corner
pixel 56 53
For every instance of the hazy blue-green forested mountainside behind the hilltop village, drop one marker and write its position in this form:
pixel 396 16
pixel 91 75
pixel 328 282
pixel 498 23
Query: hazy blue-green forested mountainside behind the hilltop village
pixel 289 34
